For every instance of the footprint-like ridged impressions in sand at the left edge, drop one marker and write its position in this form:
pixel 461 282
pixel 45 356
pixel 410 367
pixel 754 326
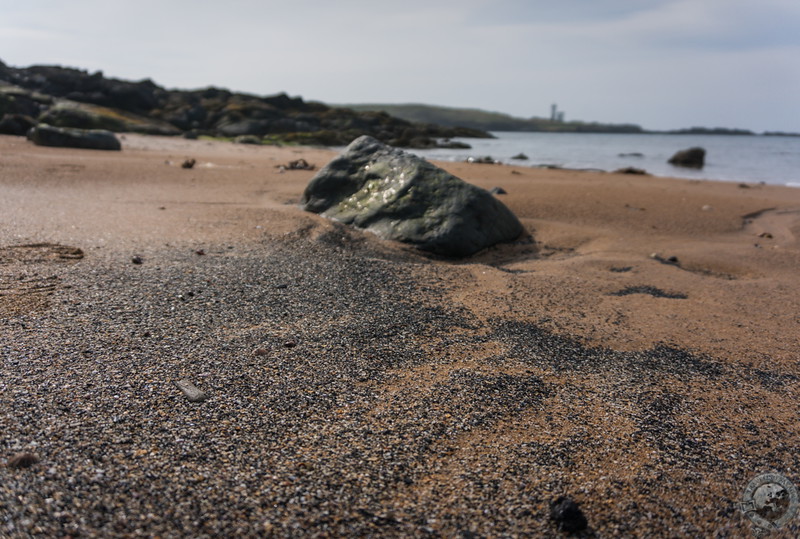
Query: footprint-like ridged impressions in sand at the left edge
pixel 25 293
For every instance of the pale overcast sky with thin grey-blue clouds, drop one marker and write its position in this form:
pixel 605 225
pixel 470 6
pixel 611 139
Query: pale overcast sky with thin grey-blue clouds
pixel 661 64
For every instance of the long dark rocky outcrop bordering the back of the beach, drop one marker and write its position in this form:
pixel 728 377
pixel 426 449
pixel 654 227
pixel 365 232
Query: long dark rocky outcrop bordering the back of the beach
pixel 75 98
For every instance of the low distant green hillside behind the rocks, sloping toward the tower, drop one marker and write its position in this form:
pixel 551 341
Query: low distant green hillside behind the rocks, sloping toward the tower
pixel 489 121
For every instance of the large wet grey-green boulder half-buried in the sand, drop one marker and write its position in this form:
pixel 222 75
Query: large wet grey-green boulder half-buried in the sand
pixel 402 197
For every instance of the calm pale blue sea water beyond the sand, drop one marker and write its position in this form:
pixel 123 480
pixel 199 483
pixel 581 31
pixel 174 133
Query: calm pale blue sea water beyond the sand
pixel 752 159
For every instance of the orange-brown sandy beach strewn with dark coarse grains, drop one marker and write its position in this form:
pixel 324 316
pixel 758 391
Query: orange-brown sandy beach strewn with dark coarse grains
pixel 636 351
